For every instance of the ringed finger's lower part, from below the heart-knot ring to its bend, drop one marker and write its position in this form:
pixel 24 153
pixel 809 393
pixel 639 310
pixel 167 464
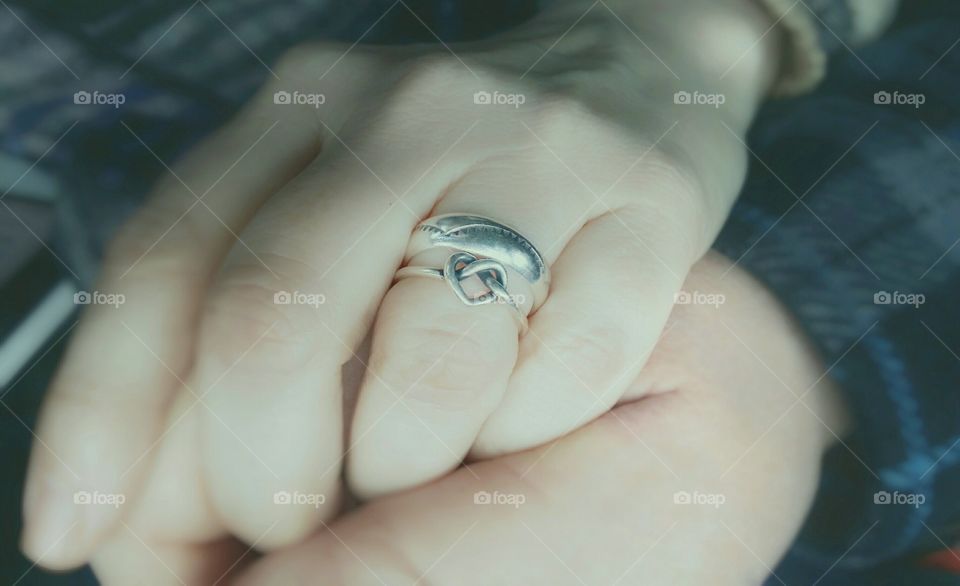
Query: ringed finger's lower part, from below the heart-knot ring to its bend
pixel 437 370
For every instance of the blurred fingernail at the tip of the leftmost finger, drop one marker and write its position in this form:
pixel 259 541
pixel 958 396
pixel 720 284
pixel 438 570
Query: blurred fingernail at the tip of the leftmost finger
pixel 50 517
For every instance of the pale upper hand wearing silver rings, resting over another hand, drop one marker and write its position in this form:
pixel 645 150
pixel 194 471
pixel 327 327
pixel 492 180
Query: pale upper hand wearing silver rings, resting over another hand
pixel 207 390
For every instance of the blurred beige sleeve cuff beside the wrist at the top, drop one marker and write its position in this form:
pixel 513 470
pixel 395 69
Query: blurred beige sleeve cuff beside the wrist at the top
pixel 815 28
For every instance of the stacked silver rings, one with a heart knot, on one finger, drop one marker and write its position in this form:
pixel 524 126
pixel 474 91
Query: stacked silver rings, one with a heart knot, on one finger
pixel 483 248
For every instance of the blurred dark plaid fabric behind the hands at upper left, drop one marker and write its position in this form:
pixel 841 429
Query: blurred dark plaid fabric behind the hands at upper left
pixel 183 68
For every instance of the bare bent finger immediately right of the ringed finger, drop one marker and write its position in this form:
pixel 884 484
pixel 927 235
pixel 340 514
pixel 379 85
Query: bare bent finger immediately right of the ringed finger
pixel 613 289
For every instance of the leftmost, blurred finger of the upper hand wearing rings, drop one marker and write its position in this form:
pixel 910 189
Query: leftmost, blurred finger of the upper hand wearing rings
pixel 107 402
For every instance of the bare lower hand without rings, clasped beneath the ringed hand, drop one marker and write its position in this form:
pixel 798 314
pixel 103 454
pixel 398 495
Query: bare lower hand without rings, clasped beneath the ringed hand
pixel 704 480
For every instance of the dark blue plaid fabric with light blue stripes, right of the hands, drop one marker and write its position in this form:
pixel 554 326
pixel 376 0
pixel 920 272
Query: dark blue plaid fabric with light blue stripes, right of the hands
pixel 868 261
